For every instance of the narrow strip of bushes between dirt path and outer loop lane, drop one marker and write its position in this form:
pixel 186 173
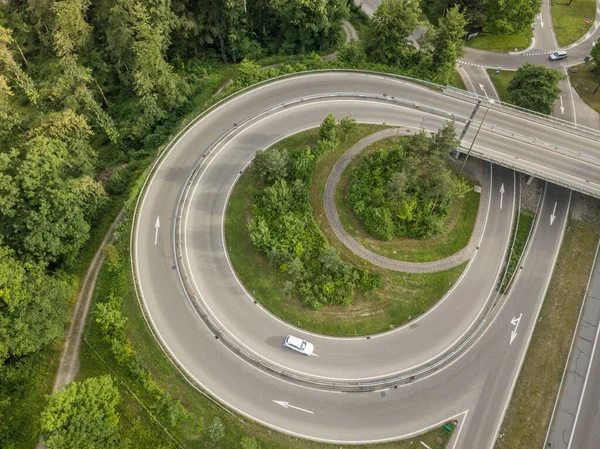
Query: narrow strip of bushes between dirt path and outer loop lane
pixel 111 322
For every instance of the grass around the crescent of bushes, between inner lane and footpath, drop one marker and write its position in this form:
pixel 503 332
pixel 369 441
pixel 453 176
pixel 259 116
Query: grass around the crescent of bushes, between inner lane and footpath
pixel 404 295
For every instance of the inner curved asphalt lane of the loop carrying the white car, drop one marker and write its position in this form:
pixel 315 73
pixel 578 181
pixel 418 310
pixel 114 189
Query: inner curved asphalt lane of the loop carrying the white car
pixel 423 339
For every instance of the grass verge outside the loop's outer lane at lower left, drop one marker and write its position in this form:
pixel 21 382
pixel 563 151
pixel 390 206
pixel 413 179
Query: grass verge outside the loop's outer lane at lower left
pixel 191 433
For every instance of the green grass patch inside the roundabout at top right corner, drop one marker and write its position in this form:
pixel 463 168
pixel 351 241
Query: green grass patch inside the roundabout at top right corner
pixel 569 20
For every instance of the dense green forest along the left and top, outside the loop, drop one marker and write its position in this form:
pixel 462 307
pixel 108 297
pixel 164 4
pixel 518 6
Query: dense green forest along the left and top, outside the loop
pixel 89 91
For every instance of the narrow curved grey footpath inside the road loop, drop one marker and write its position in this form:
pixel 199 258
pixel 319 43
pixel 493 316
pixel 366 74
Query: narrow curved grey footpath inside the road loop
pixel 376 259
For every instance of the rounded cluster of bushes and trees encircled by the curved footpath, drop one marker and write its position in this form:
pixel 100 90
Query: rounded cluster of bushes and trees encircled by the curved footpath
pixel 408 189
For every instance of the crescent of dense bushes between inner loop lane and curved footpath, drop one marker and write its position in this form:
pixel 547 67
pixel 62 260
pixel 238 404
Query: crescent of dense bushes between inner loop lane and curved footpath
pixel 283 227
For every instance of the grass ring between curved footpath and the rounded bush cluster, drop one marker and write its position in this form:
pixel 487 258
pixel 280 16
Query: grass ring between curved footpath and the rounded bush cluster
pixel 459 225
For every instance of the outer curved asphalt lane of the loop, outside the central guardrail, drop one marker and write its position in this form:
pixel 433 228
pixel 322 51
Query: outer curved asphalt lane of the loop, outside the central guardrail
pixel 337 417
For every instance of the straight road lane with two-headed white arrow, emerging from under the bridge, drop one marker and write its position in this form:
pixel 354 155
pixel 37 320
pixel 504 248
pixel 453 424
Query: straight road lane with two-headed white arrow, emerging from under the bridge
pixel 523 304
